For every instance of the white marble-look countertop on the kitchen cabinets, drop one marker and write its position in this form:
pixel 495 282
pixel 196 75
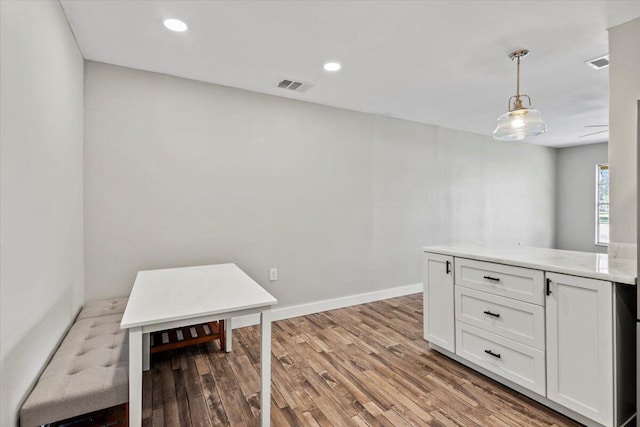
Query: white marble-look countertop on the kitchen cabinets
pixel 585 264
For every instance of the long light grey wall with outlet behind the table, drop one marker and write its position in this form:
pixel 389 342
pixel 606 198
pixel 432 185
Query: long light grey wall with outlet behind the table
pixel 179 172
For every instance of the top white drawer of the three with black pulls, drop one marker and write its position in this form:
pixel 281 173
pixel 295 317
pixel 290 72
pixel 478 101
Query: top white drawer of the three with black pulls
pixel 523 284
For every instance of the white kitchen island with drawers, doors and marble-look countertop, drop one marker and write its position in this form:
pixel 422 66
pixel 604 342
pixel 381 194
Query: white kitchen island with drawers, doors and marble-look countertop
pixel 555 325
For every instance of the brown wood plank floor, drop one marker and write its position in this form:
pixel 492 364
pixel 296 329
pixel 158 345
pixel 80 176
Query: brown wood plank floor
pixel 366 365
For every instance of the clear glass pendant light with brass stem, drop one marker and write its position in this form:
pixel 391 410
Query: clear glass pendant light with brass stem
pixel 519 122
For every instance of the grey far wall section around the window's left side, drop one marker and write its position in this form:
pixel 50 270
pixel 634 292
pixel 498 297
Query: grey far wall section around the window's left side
pixel 576 197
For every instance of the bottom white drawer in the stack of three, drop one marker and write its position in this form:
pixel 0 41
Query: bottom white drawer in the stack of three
pixel 518 363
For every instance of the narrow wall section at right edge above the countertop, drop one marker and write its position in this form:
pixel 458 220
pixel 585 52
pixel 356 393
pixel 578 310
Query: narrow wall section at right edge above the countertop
pixel 624 93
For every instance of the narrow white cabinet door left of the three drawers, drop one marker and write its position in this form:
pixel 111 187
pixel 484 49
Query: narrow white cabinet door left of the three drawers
pixel 439 319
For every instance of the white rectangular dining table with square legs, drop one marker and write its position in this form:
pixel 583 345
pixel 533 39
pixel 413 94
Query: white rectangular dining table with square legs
pixel 178 297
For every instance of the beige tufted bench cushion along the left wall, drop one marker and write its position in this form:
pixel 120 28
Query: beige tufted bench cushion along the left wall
pixel 89 372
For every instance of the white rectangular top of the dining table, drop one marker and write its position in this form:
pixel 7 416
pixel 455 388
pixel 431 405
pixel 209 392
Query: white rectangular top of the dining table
pixel 173 294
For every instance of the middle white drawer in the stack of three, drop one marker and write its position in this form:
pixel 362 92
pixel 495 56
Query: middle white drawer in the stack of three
pixel 520 321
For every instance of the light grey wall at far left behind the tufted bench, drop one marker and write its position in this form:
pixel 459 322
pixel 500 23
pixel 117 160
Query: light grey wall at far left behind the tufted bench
pixel 41 226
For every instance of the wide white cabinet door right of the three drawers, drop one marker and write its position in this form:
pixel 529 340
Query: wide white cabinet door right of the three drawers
pixel 580 345
